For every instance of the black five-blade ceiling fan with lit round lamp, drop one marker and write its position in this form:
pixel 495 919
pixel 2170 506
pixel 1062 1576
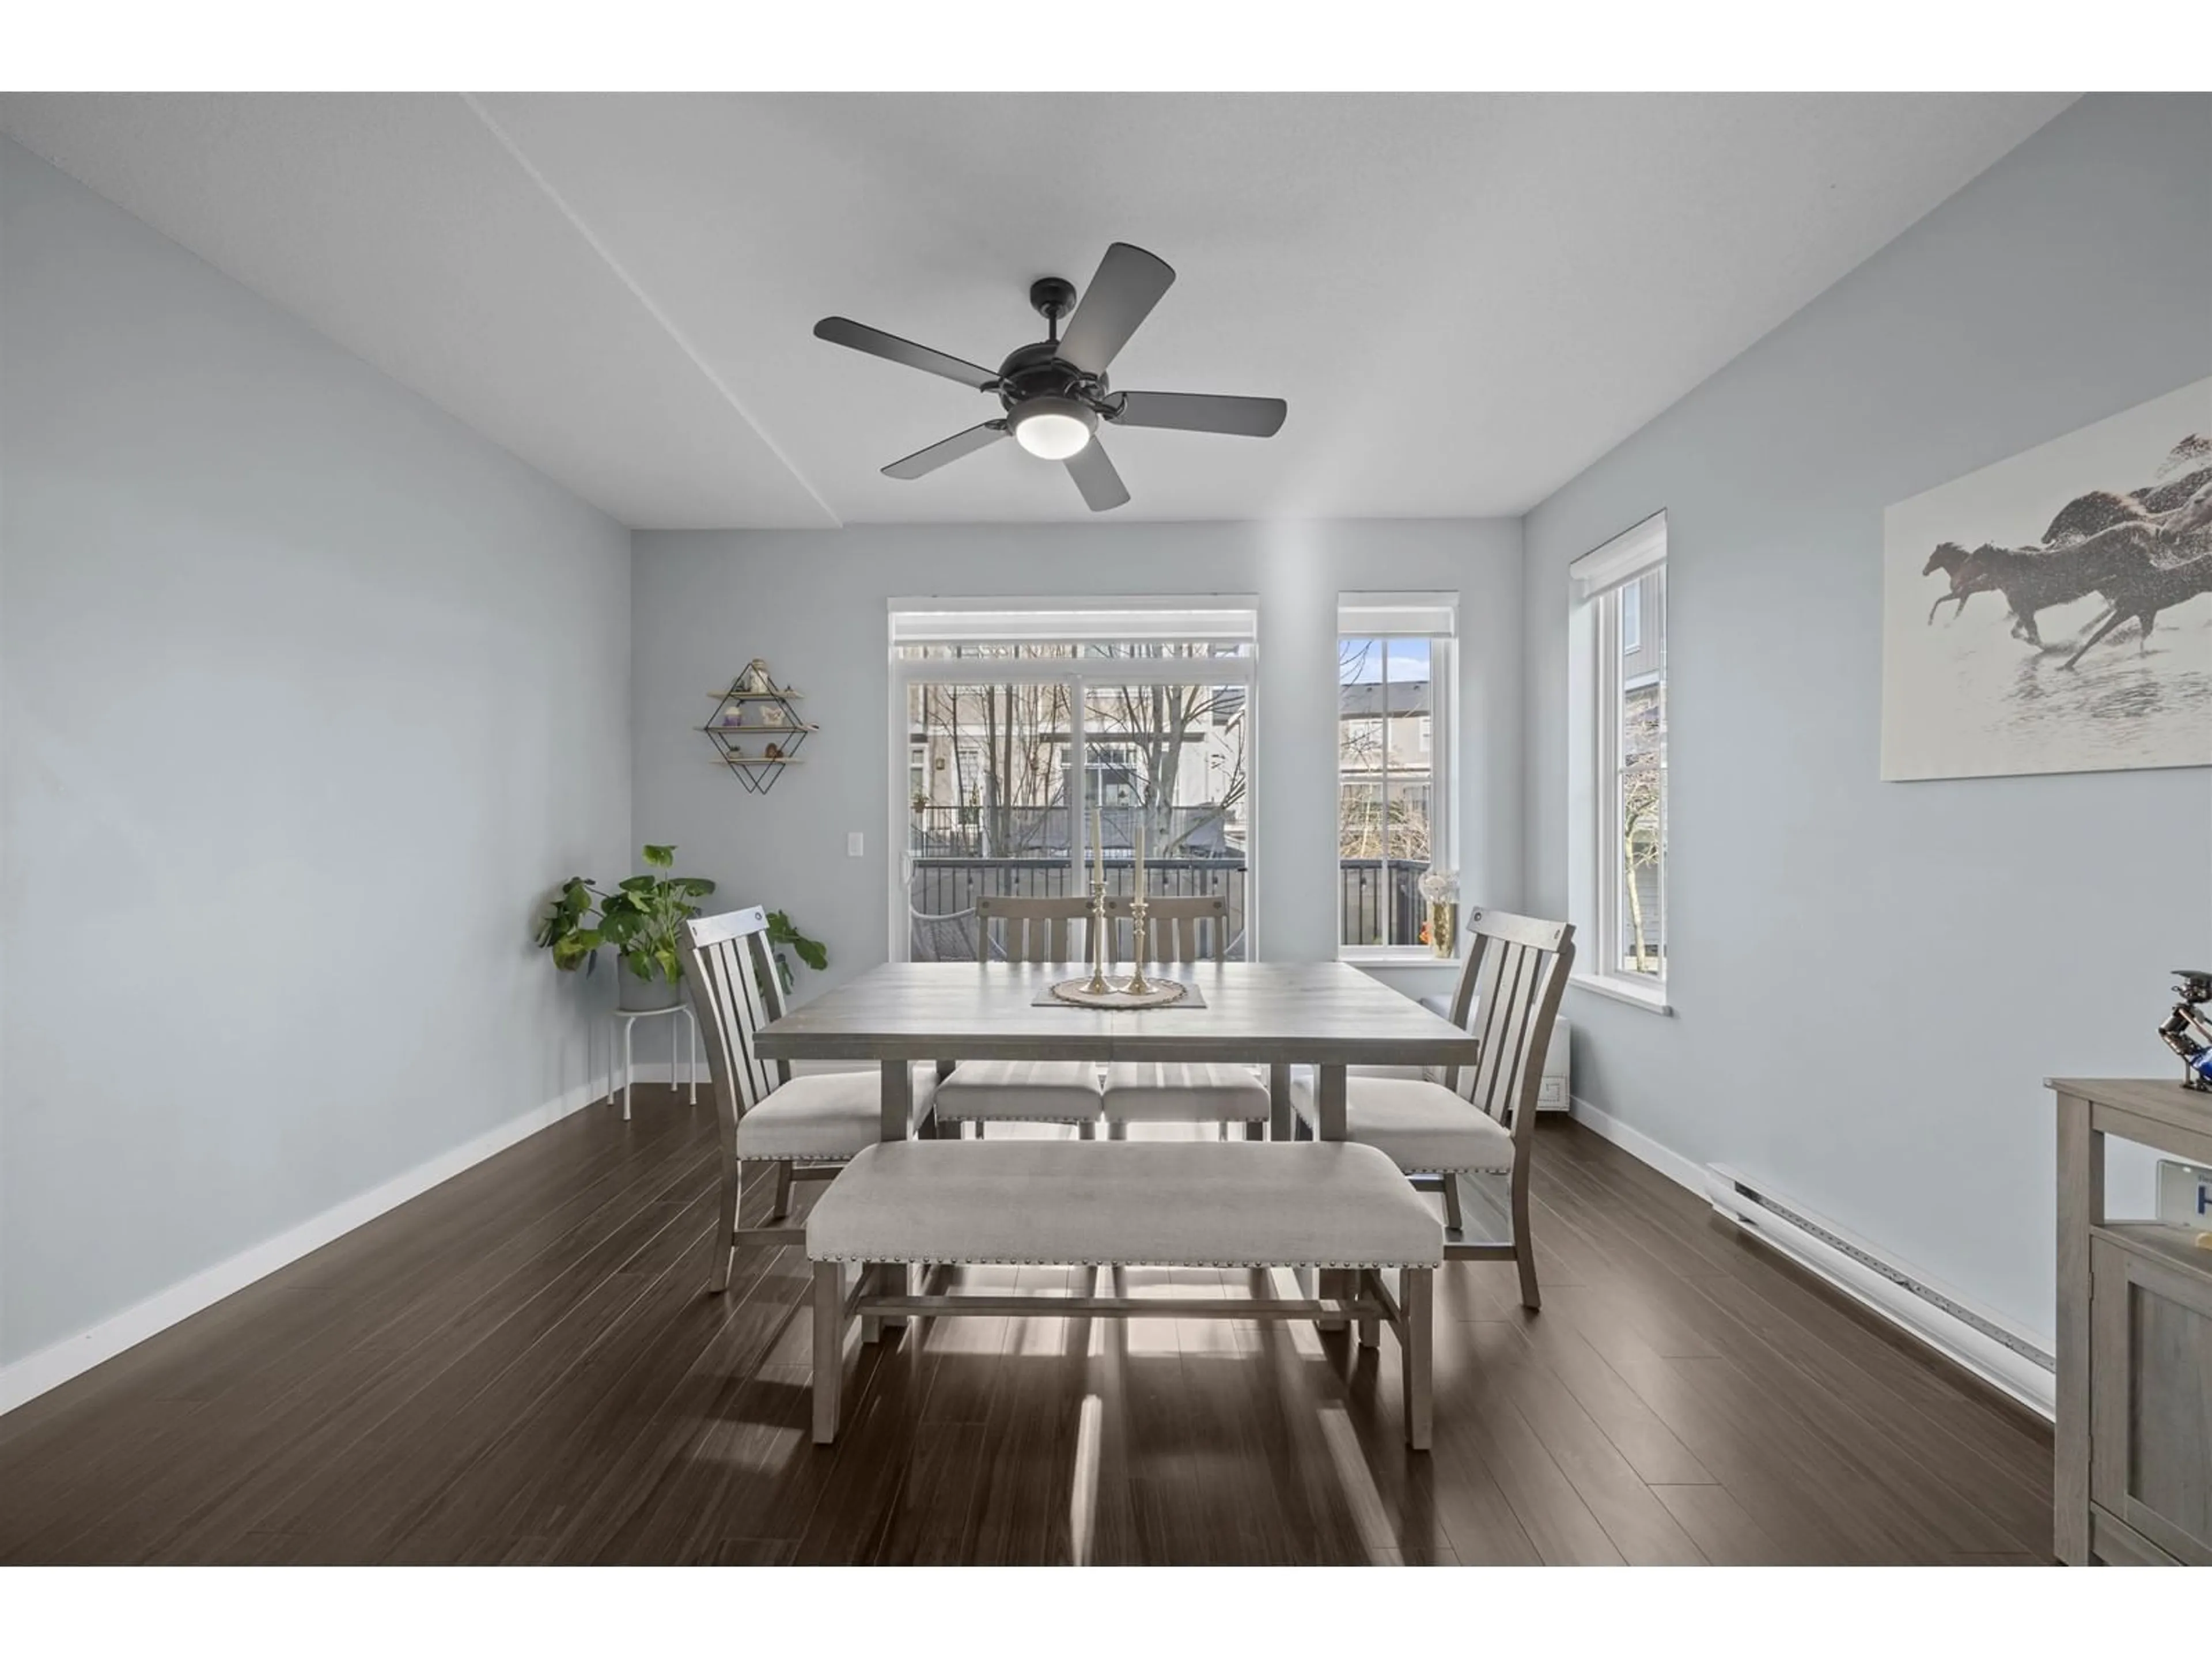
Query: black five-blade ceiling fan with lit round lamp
pixel 1056 393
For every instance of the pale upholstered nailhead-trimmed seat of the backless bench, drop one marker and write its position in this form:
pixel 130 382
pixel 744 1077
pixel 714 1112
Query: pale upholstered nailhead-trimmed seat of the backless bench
pixel 1134 1204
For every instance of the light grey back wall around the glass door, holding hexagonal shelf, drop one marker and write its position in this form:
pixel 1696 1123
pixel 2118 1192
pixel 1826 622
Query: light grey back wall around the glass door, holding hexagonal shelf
pixel 815 607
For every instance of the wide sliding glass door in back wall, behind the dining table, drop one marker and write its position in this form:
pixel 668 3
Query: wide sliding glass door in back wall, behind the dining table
pixel 1125 722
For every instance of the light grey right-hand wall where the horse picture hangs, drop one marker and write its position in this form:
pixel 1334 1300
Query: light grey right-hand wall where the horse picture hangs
pixel 1872 979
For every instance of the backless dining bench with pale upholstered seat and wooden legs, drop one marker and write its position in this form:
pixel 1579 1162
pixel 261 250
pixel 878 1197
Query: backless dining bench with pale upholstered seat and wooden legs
pixel 1337 1209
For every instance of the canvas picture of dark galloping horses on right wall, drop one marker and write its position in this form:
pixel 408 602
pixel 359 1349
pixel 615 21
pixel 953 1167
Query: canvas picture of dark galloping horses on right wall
pixel 2054 612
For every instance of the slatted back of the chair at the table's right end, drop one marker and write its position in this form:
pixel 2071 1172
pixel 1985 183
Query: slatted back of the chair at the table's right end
pixel 1514 983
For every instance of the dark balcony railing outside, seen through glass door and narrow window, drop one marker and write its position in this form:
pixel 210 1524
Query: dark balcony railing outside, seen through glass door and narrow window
pixel 943 895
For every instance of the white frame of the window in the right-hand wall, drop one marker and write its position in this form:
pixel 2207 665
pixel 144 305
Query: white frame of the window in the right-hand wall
pixel 1596 654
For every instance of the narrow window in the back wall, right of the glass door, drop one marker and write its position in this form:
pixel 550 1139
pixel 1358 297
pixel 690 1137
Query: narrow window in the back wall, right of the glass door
pixel 1395 658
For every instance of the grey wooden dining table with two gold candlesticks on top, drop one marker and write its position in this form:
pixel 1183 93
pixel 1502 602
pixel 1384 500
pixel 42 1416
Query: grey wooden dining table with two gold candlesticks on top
pixel 1266 1014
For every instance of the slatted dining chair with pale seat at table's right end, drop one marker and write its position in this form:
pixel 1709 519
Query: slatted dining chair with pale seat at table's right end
pixel 1481 1120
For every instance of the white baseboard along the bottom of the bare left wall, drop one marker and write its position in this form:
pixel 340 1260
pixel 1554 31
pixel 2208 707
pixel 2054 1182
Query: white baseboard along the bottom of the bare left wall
pixel 74 1355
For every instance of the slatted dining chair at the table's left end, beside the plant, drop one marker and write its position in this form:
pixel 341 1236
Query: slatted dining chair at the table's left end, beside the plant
pixel 806 1127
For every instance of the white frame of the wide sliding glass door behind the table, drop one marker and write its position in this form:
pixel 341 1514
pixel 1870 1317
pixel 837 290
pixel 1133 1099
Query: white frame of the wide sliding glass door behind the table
pixel 1180 618
